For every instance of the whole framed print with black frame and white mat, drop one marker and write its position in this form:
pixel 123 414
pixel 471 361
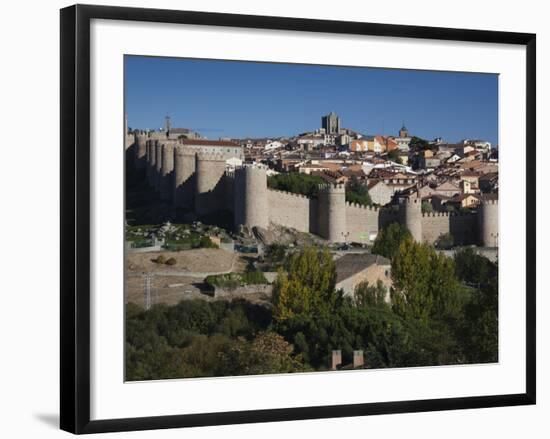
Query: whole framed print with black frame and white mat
pixel 269 218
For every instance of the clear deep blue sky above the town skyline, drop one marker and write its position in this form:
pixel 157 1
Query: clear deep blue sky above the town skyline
pixel 247 99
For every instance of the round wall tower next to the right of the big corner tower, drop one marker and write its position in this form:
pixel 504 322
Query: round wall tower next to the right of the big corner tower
pixel 332 212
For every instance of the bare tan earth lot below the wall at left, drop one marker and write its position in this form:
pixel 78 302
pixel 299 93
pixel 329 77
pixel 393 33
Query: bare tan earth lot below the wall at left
pixel 171 284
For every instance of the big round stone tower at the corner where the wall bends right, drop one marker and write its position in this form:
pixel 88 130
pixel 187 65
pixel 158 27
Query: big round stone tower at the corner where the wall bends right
pixel 251 202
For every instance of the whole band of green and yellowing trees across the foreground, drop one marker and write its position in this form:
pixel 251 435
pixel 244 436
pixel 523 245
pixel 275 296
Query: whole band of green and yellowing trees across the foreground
pixel 442 311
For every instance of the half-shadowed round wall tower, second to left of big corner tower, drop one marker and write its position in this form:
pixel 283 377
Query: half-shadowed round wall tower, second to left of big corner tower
pixel 184 170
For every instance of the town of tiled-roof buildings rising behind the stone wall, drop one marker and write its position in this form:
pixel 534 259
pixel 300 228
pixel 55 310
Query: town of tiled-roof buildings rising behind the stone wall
pixel 449 176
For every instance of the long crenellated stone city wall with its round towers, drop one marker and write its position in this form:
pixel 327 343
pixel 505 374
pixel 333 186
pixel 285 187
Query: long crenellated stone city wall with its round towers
pixel 188 177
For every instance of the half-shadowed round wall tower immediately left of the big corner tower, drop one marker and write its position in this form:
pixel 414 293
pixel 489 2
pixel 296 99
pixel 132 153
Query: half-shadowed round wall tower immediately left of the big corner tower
pixel 209 170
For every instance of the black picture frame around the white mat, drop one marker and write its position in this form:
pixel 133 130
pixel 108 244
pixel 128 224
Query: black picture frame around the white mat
pixel 75 217
